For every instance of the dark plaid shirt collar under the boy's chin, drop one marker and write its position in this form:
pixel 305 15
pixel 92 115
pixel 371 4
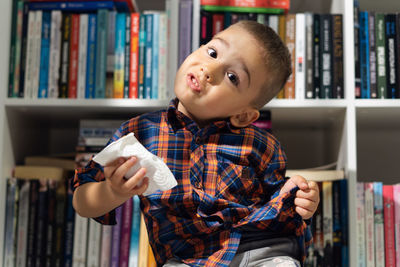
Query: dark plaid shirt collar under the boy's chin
pixel 178 120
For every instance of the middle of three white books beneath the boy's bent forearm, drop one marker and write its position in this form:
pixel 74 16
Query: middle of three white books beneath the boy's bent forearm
pixel 93 248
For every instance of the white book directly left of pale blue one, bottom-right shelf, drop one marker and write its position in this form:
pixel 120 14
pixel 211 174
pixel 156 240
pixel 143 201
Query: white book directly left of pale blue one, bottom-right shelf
pixel 369 224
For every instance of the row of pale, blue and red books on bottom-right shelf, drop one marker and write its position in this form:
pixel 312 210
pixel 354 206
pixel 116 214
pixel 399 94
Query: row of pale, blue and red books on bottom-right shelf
pixel 378 224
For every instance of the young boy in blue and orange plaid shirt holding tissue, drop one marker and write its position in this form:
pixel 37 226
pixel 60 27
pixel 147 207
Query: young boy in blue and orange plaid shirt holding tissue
pixel 232 203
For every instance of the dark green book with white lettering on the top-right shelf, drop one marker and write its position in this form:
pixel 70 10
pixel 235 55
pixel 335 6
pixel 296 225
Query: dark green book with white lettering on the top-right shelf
pixel 380 38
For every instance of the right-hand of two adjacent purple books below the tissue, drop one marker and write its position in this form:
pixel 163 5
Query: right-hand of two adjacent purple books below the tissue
pixel 126 227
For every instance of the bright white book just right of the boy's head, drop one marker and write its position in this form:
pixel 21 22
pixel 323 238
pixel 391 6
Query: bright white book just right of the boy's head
pixel 300 63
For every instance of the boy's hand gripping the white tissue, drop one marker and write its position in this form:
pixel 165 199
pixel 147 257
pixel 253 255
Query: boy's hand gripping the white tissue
pixel 121 187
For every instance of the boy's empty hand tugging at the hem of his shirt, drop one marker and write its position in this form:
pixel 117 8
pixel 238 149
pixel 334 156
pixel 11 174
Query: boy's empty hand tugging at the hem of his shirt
pixel 307 197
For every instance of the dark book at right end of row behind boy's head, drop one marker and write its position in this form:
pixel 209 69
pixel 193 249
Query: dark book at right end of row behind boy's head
pixel 337 49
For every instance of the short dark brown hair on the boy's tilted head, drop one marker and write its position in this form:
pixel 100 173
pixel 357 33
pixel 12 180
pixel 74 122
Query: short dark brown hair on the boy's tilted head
pixel 277 60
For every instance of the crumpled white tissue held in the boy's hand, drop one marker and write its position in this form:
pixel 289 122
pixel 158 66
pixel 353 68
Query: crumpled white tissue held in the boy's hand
pixel 160 176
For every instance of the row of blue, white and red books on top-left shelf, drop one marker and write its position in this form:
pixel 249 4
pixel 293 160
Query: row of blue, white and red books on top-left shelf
pixel 106 54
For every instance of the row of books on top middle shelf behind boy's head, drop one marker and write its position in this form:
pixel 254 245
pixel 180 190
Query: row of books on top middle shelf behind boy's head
pixel 315 42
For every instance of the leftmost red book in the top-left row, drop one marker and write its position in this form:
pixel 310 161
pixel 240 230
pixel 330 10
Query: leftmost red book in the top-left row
pixel 73 57
